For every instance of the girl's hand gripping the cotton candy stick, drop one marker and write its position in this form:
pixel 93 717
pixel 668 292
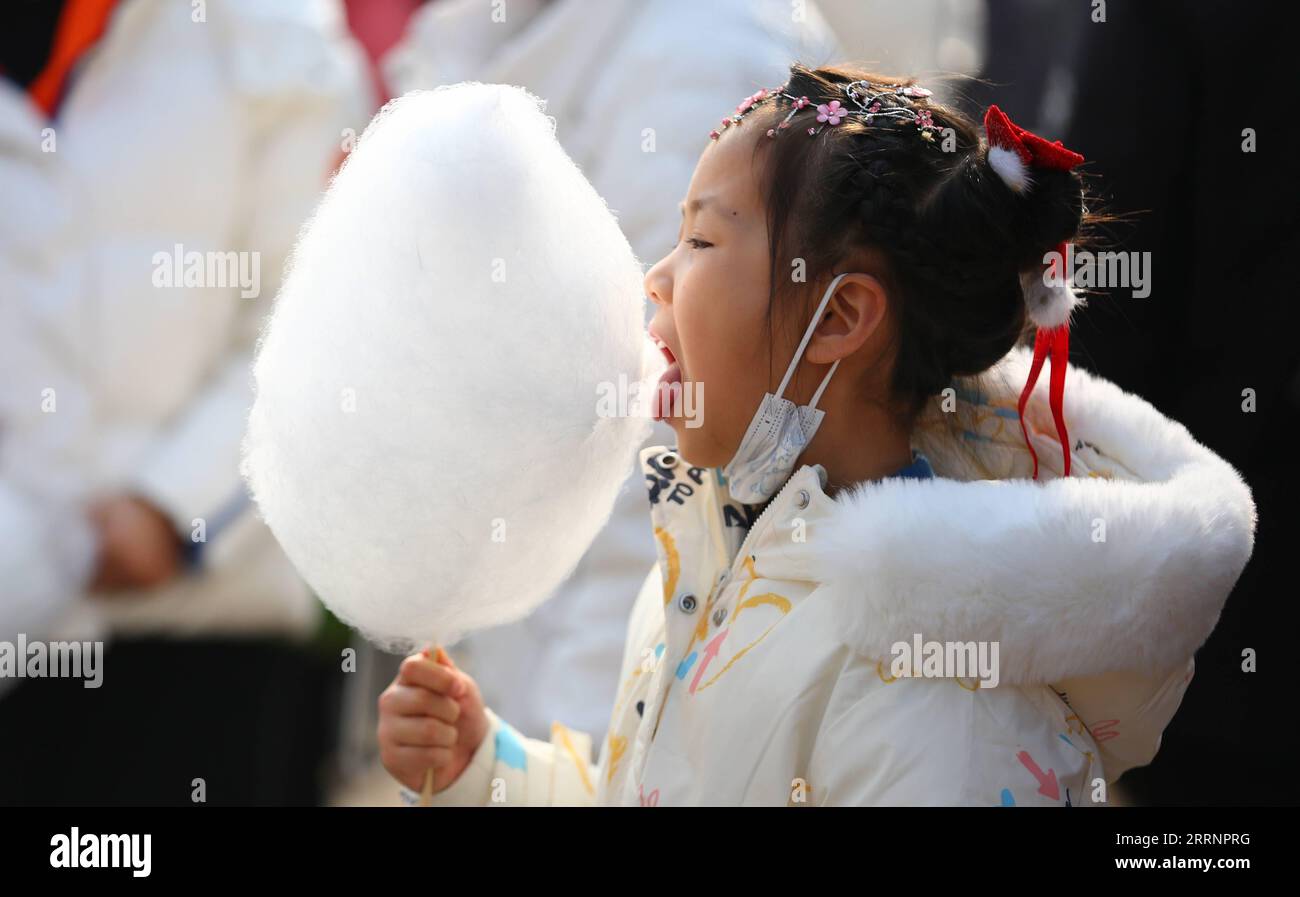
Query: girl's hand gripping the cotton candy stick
pixel 431 717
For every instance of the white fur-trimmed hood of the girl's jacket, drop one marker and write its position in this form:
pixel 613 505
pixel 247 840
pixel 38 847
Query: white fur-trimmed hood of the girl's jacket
pixel 1124 566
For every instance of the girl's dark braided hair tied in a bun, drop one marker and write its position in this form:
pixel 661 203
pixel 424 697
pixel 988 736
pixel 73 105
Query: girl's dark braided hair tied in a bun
pixel 952 237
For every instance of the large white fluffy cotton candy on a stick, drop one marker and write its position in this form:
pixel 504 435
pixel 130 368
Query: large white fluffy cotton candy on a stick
pixel 427 441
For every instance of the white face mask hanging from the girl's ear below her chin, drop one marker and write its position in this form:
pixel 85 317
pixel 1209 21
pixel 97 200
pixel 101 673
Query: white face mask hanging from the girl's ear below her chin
pixel 779 432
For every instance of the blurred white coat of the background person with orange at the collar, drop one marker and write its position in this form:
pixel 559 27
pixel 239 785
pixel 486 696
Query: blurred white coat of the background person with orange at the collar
pixel 218 136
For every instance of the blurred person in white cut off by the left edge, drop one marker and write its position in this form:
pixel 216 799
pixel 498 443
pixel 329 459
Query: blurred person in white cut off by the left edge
pixel 47 547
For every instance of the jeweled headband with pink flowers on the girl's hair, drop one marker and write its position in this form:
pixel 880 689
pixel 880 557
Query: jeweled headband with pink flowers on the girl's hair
pixel 869 103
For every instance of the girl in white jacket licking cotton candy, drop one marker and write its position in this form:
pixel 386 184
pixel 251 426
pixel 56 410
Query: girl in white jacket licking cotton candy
pixel 943 604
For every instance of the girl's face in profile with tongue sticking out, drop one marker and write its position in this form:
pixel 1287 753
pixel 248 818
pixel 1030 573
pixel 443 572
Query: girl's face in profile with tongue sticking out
pixel 712 297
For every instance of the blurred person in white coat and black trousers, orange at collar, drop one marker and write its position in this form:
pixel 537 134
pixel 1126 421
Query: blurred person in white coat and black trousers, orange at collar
pixel 172 135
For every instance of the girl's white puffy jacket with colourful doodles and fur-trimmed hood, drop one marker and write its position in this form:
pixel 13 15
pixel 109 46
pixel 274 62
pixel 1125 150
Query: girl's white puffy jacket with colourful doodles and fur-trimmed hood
pixel 759 661
